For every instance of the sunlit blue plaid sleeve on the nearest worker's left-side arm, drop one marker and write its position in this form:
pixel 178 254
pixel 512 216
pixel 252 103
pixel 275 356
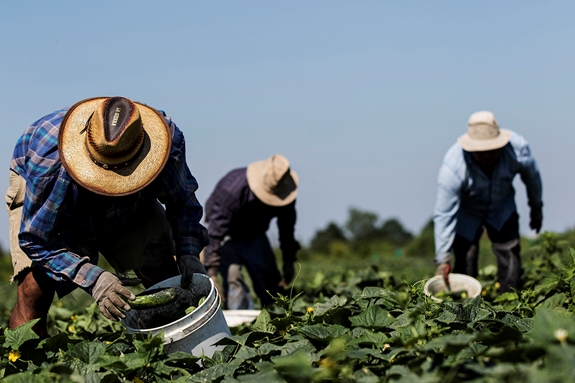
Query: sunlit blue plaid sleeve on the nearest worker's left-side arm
pixel 47 186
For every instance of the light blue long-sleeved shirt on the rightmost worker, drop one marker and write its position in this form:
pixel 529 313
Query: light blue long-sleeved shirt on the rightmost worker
pixel 467 198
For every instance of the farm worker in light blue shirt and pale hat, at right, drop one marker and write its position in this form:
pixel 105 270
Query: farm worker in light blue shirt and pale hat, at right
pixel 476 194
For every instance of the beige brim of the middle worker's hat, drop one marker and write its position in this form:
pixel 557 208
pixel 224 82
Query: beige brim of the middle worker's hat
pixel 255 176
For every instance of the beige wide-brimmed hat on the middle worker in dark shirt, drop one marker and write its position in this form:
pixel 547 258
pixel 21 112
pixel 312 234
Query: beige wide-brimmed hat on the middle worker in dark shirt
pixel 272 181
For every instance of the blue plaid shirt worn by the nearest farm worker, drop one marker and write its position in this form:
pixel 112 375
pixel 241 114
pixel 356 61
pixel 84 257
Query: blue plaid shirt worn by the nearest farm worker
pixel 61 222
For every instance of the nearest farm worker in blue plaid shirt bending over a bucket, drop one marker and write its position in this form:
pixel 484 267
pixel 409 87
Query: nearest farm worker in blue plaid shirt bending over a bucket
pixel 92 179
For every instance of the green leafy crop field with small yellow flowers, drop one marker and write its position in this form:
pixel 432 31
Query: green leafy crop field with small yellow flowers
pixel 358 325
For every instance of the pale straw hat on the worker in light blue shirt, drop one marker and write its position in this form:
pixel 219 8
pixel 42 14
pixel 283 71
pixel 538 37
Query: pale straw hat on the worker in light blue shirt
pixel 483 133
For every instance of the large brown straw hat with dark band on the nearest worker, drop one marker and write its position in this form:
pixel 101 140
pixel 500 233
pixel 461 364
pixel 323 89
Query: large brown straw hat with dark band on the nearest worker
pixel 112 145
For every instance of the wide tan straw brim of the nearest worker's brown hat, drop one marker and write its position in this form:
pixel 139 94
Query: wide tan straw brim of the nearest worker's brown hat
pixel 141 170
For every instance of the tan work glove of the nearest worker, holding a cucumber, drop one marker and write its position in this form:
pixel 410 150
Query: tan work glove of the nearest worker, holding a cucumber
pixel 108 292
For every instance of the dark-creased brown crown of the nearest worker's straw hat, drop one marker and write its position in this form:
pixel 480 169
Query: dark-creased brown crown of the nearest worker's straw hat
pixel 115 132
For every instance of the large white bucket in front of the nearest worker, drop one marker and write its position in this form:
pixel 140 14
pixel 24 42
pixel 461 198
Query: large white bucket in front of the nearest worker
pixel 194 333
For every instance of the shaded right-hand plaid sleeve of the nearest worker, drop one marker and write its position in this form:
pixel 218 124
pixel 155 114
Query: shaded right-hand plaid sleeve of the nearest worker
pixel 177 193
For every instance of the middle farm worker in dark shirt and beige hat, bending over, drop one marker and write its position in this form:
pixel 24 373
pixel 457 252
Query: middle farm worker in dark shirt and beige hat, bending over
pixel 238 214
